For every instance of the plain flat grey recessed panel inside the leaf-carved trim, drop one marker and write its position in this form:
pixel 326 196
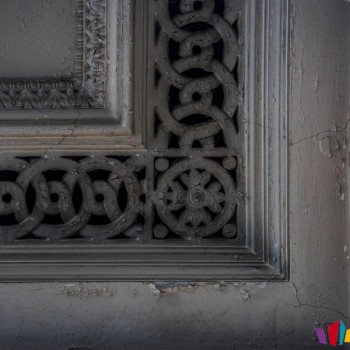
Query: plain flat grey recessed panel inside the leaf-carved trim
pixel 37 38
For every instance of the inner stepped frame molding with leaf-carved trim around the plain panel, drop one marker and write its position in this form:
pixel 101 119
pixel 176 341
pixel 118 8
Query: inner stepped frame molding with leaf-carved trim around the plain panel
pixel 99 100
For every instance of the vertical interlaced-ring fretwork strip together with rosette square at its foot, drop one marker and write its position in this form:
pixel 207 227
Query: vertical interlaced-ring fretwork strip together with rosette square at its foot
pixel 197 109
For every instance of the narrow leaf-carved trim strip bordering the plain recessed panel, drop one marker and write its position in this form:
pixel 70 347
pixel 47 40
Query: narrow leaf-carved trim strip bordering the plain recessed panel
pixel 84 90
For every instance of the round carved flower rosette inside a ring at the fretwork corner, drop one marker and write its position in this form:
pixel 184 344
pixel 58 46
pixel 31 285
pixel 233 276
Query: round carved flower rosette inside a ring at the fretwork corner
pixel 196 198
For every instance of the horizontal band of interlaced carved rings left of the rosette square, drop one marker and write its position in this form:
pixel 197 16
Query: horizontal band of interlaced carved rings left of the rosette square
pixel 99 198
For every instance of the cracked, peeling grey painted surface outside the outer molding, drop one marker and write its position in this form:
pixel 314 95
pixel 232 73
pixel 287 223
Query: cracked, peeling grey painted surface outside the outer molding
pixel 239 315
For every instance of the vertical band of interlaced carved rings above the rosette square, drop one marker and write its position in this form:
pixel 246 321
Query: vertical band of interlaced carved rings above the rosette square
pixel 198 95
